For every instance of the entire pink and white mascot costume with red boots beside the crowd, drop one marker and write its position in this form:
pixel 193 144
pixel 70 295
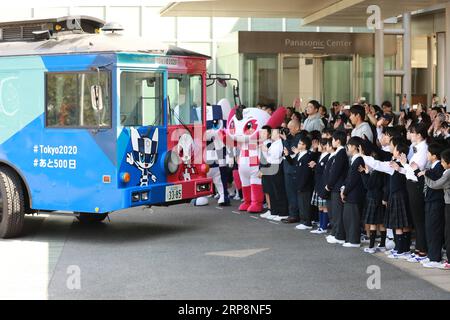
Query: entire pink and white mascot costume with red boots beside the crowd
pixel 243 127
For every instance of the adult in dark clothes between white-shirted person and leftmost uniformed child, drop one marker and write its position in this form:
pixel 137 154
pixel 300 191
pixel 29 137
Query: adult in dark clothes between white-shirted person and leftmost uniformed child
pixel 290 136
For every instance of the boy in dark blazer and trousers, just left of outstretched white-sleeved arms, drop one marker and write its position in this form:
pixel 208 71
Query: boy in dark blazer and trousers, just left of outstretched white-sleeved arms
pixel 352 195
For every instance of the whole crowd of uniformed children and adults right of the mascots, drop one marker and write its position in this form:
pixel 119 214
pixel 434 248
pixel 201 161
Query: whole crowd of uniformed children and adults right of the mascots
pixel 368 175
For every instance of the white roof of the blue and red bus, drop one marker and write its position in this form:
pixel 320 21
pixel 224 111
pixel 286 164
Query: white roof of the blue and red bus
pixel 72 42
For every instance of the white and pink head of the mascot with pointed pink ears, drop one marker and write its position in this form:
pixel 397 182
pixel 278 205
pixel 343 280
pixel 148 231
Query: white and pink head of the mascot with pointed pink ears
pixel 244 123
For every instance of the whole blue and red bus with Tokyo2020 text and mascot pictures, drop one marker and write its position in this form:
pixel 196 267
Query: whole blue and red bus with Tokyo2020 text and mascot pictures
pixel 93 122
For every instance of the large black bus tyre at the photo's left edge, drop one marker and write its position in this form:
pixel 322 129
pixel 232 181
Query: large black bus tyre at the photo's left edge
pixel 12 204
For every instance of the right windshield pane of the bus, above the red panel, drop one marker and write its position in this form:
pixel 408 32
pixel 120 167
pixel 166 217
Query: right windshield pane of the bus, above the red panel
pixel 185 96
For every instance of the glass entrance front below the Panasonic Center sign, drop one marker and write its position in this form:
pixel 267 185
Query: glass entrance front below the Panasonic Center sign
pixel 280 79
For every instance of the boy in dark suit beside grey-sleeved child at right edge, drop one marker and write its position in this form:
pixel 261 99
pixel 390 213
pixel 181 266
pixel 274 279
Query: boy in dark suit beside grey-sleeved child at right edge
pixel 434 210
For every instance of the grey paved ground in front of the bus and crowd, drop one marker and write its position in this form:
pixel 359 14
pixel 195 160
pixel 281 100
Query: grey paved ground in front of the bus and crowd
pixel 186 252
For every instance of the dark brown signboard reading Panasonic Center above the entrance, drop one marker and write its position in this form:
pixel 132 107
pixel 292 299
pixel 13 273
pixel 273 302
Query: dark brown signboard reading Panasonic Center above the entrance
pixel 312 42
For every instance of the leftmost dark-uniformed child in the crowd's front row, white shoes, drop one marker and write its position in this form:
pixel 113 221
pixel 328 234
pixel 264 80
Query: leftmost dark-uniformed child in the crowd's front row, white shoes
pixel 304 182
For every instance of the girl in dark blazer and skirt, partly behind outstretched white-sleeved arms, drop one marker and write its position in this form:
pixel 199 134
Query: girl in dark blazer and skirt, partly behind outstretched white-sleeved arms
pixel 373 214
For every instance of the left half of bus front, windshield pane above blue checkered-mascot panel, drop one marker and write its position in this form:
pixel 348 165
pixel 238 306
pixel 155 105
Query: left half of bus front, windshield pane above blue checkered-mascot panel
pixel 142 143
